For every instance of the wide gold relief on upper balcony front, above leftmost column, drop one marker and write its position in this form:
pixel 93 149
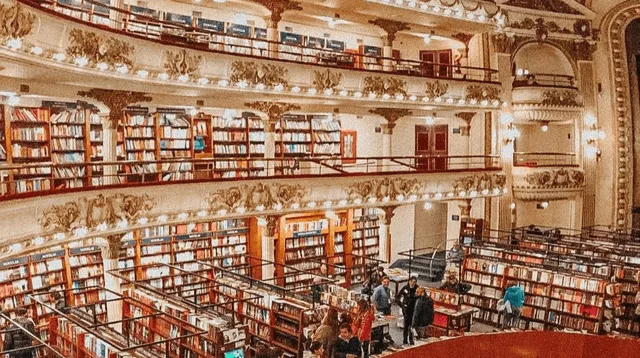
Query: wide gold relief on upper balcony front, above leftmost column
pixel 99 49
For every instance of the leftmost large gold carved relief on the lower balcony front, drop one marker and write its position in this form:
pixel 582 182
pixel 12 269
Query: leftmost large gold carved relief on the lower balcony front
pixel 92 212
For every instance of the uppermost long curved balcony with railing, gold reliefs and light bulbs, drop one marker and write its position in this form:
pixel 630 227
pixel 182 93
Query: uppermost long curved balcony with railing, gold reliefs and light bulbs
pixel 140 50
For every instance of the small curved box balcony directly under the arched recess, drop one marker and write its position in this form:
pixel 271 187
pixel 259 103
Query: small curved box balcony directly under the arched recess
pixel 546 98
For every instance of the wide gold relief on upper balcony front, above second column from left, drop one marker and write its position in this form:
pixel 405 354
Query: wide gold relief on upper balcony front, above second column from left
pixel 252 73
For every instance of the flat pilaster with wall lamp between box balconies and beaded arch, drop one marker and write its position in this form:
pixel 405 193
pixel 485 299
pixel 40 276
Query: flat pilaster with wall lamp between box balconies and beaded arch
pixel 589 158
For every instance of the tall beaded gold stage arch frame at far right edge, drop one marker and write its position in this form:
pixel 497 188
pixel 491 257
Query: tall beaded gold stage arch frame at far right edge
pixel 613 26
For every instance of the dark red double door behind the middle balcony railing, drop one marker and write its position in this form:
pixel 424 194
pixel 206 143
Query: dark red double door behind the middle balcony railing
pixel 432 141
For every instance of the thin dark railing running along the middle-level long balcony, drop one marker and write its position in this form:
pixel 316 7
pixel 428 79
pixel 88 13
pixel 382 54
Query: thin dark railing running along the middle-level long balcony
pixel 48 178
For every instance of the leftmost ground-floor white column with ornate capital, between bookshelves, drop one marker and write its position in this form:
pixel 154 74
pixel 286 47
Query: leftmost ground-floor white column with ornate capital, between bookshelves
pixel 111 282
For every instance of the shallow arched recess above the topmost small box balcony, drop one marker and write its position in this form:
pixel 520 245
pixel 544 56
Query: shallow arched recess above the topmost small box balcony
pixel 528 55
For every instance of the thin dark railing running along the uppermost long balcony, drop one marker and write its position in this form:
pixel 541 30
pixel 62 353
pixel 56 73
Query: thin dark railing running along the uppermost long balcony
pixel 174 33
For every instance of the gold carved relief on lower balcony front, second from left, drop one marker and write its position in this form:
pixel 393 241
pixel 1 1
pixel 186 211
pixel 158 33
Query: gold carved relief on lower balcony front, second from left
pixel 256 197
